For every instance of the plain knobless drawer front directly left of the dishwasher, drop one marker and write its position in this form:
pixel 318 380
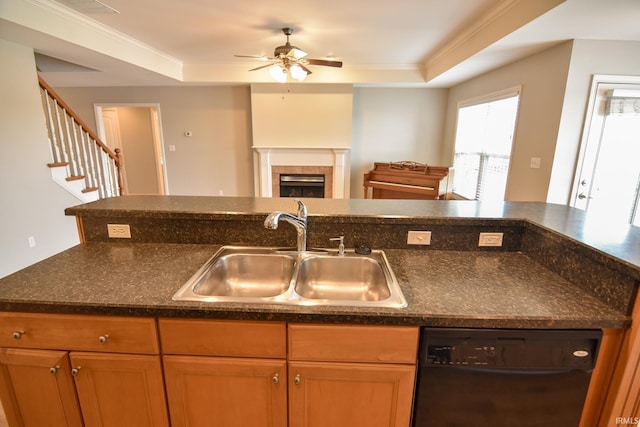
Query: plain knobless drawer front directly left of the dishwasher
pixel 353 343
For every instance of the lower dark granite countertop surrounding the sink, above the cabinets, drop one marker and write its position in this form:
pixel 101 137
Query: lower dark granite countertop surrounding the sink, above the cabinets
pixel 443 288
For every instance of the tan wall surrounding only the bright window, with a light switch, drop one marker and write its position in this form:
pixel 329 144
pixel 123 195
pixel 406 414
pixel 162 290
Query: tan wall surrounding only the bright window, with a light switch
pixel 543 79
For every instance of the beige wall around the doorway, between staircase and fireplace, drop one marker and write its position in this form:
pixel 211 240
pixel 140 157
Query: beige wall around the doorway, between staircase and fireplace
pixel 217 159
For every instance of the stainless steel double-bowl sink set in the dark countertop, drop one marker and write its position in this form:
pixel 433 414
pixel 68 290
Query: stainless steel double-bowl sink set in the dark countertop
pixel 249 274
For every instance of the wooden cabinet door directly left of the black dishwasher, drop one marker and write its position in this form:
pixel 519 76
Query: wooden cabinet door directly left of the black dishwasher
pixel 350 394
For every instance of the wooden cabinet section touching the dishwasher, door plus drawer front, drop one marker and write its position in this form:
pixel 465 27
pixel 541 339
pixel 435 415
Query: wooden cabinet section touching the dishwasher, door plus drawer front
pixel 350 376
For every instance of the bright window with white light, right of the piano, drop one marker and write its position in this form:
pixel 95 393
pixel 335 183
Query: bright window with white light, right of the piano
pixel 484 136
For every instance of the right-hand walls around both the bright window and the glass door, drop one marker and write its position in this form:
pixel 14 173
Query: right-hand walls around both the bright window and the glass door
pixel 555 89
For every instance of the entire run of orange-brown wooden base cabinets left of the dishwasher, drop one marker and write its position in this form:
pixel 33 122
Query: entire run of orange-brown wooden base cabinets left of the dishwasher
pixel 73 370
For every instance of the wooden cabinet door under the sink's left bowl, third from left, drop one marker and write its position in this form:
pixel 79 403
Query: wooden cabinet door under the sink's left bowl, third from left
pixel 216 391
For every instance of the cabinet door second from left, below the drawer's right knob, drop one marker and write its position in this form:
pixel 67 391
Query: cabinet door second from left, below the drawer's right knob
pixel 119 389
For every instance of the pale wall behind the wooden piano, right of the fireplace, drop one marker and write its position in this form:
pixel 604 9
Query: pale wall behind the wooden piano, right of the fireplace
pixel 395 124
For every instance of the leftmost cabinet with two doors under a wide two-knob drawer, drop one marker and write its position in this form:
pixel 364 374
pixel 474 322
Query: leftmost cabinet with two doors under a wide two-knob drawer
pixel 106 371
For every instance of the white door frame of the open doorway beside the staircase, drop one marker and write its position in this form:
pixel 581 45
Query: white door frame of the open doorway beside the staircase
pixel 158 139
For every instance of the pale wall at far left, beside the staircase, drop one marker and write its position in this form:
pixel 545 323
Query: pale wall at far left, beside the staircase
pixel 32 204
